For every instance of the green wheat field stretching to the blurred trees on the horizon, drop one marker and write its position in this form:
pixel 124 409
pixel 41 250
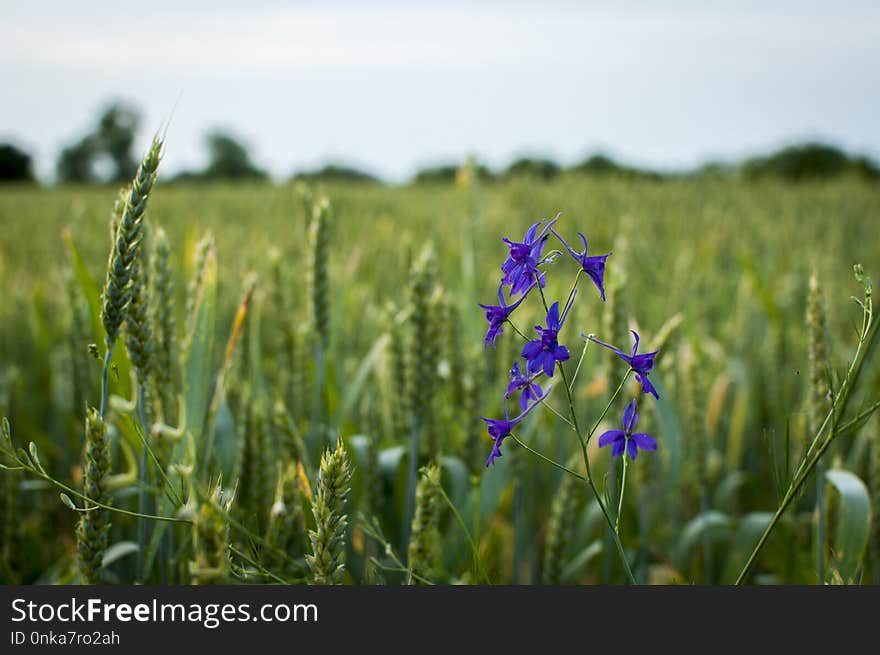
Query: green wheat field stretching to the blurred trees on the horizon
pixel 296 375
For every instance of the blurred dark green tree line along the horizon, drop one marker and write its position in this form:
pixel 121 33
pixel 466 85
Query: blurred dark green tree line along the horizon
pixel 105 155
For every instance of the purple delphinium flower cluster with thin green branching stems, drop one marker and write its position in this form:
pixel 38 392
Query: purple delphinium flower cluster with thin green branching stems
pixel 532 380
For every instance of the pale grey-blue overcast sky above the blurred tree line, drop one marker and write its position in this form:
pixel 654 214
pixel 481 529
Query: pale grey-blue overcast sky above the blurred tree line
pixel 392 86
